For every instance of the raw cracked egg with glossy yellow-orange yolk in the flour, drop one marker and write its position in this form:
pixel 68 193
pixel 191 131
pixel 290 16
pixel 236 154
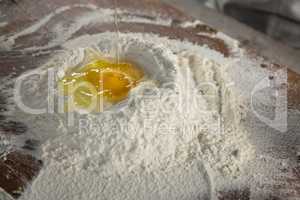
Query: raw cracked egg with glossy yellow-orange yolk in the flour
pixel 100 80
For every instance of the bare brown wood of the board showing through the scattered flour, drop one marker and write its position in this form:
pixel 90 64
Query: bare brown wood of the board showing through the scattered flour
pixel 24 13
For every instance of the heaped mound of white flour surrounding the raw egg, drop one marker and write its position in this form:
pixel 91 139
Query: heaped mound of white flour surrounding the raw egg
pixel 169 121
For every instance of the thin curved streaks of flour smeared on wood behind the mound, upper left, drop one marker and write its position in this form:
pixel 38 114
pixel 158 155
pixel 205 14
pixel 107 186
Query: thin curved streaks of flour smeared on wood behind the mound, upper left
pixel 64 30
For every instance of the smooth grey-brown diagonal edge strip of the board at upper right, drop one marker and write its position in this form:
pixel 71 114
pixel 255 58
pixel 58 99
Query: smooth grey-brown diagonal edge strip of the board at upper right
pixel 263 44
